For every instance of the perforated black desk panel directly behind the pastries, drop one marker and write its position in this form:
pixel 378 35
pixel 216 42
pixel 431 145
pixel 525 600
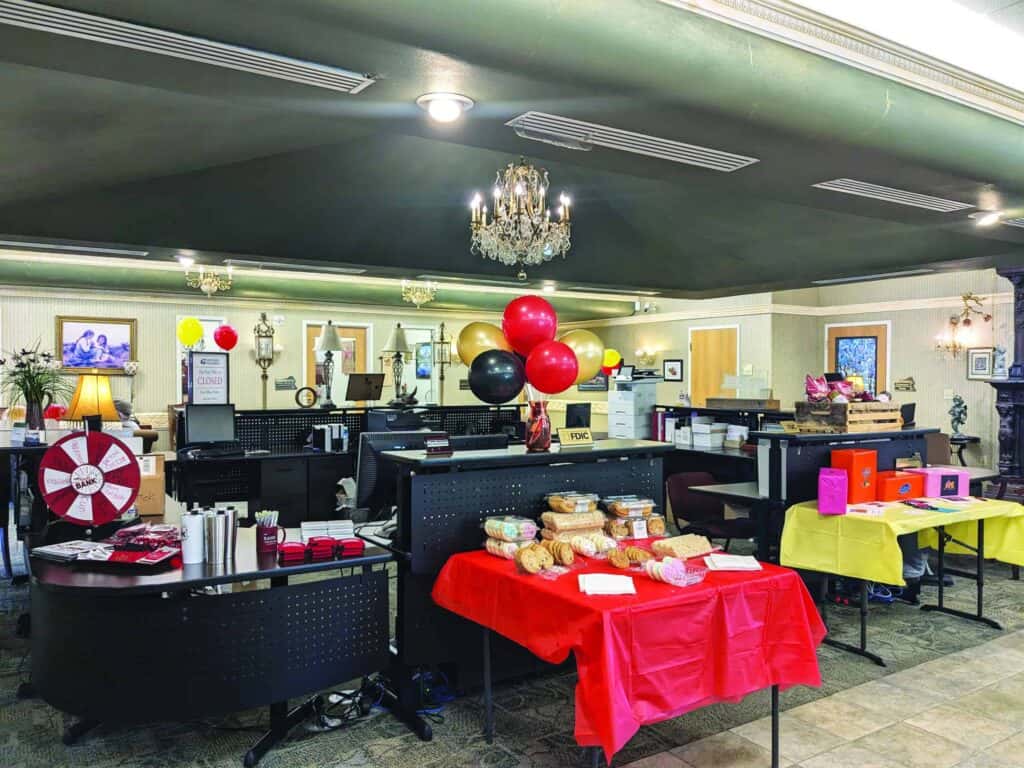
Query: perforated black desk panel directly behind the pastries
pixel 450 508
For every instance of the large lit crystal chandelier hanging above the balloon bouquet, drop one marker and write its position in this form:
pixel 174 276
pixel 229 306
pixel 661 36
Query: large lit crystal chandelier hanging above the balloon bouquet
pixel 521 232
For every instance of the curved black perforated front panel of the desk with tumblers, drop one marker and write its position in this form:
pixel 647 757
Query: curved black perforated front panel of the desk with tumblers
pixel 200 656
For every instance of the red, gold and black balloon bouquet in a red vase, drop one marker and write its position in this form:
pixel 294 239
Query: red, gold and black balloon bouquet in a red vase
pixel 524 353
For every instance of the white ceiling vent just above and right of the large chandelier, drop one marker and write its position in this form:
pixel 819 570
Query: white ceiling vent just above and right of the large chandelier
pixel 554 130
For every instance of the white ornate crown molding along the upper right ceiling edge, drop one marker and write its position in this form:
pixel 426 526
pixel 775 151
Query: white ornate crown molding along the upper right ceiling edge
pixel 805 29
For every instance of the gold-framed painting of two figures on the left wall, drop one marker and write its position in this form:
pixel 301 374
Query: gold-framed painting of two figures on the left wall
pixel 102 344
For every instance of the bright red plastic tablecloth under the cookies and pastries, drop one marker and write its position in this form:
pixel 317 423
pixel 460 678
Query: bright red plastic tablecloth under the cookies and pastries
pixel 652 657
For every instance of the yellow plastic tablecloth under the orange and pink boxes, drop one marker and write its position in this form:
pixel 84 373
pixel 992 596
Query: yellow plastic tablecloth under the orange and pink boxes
pixel 865 546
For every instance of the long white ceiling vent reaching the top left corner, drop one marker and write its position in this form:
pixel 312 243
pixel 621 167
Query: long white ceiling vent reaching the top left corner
pixel 152 40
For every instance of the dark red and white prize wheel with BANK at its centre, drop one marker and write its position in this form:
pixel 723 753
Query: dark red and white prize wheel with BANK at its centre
pixel 90 479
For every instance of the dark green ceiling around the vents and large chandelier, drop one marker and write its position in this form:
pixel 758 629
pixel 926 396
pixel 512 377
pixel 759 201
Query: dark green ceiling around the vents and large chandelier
pixel 106 145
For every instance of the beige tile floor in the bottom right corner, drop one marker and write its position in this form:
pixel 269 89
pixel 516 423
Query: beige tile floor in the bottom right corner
pixel 963 711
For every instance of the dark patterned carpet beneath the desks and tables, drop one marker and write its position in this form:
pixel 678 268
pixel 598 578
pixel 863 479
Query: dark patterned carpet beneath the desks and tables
pixel 534 718
